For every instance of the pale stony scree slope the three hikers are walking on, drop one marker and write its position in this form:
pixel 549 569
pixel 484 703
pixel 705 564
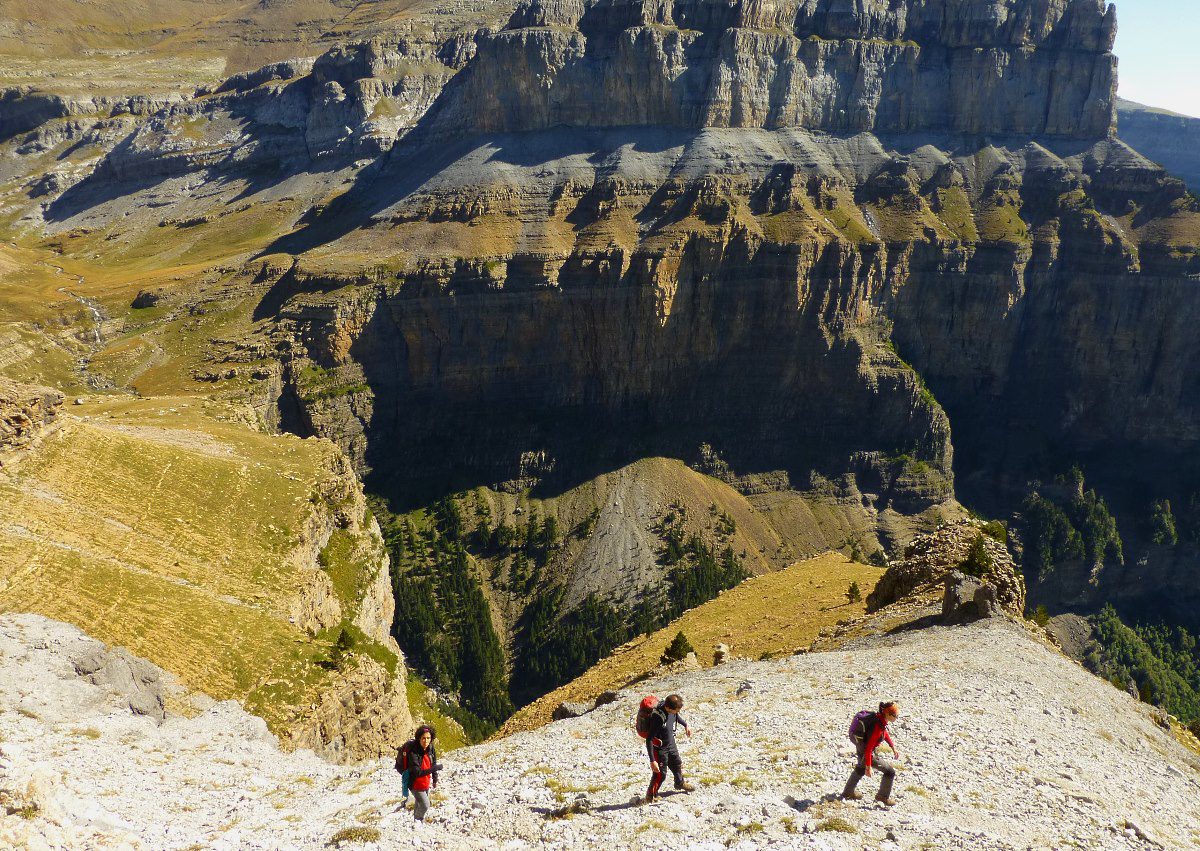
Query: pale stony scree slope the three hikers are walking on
pixel 1063 760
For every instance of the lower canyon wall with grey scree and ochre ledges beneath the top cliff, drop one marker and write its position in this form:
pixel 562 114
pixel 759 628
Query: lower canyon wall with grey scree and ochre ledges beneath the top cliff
pixel 739 289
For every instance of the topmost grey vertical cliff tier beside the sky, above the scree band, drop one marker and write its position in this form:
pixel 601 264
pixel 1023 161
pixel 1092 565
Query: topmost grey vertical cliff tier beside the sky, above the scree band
pixel 1031 69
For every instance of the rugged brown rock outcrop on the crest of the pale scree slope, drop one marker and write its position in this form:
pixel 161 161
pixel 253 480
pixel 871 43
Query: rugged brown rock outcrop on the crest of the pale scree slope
pixel 938 559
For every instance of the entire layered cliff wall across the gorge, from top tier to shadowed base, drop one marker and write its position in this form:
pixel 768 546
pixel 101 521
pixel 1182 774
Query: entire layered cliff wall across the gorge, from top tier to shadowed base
pixel 789 243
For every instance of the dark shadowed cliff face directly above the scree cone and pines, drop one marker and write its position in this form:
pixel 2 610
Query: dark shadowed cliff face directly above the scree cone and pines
pixel 764 392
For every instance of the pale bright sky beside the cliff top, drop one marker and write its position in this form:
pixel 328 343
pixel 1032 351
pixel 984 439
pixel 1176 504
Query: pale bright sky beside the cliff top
pixel 1159 45
